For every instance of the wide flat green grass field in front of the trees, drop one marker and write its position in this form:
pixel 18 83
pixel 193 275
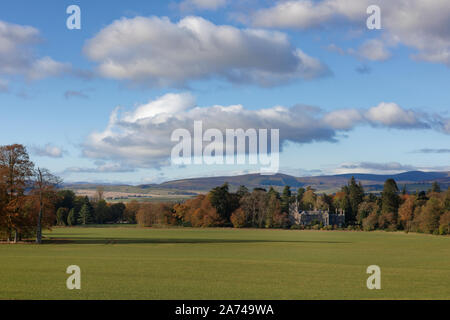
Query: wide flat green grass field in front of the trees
pixel 133 263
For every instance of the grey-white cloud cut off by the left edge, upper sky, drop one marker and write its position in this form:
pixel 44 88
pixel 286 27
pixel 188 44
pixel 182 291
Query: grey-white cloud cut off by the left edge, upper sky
pixel 17 55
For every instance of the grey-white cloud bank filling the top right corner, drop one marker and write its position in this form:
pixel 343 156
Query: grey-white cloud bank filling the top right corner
pixel 420 24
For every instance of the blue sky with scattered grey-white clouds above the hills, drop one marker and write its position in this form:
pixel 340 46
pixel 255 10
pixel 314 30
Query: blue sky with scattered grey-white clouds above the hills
pixel 99 103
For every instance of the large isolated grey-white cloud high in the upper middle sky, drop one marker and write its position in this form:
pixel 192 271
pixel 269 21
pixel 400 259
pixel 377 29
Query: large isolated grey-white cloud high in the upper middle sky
pixel 158 52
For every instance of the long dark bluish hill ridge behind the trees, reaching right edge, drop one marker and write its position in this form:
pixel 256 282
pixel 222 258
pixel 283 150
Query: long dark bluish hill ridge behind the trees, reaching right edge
pixel 372 182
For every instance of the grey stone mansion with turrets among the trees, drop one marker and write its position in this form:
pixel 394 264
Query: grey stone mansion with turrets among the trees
pixel 304 218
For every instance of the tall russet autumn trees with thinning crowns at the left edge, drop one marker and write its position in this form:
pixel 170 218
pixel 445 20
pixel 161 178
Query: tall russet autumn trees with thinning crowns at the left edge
pixel 27 194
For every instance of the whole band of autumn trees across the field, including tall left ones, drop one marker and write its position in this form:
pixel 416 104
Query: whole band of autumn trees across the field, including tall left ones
pixel 31 200
